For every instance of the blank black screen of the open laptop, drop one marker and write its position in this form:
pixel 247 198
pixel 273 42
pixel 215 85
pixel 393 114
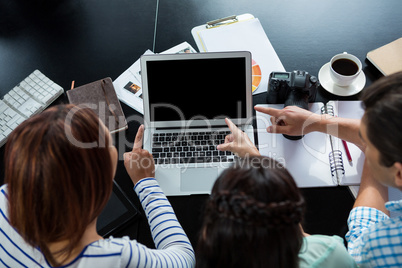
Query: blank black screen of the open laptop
pixel 190 89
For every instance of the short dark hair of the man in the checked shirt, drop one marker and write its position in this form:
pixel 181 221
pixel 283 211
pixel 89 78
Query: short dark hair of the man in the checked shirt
pixel 383 117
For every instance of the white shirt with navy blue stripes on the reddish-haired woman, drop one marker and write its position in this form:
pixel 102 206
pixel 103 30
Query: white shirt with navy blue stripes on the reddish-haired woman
pixel 173 248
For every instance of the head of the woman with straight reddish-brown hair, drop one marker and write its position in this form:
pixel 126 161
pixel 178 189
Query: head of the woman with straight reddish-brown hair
pixel 56 187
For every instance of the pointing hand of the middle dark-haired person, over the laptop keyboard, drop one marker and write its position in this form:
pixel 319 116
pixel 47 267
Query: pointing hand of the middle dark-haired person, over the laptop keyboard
pixel 238 142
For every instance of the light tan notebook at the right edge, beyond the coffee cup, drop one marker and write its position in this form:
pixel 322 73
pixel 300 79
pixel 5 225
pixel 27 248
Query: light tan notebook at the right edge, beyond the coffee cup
pixel 388 58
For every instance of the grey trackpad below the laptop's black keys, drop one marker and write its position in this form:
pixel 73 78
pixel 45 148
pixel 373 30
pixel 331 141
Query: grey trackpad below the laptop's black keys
pixel 198 179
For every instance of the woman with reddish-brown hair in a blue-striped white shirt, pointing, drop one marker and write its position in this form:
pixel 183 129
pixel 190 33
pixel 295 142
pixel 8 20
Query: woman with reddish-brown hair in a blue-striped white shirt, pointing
pixel 59 169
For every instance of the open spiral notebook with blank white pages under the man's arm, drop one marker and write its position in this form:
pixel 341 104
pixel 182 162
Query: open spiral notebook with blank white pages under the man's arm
pixel 318 159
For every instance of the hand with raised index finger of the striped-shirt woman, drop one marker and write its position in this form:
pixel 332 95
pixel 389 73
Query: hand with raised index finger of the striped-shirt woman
pixel 139 163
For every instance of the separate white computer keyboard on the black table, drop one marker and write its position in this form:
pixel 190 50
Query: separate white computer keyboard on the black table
pixel 31 96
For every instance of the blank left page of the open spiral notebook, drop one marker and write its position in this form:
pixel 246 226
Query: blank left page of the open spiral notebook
pixel 306 159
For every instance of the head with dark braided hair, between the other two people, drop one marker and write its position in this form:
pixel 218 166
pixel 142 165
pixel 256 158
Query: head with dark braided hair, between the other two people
pixel 252 218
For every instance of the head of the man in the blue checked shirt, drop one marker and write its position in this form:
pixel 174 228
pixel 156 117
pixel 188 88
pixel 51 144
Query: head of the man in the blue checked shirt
pixel 381 129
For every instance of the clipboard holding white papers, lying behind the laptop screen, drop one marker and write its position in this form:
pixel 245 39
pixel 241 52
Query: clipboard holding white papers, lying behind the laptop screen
pixel 241 33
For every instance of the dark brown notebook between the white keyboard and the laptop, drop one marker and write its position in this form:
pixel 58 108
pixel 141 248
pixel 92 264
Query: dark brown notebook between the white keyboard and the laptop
pixel 101 97
